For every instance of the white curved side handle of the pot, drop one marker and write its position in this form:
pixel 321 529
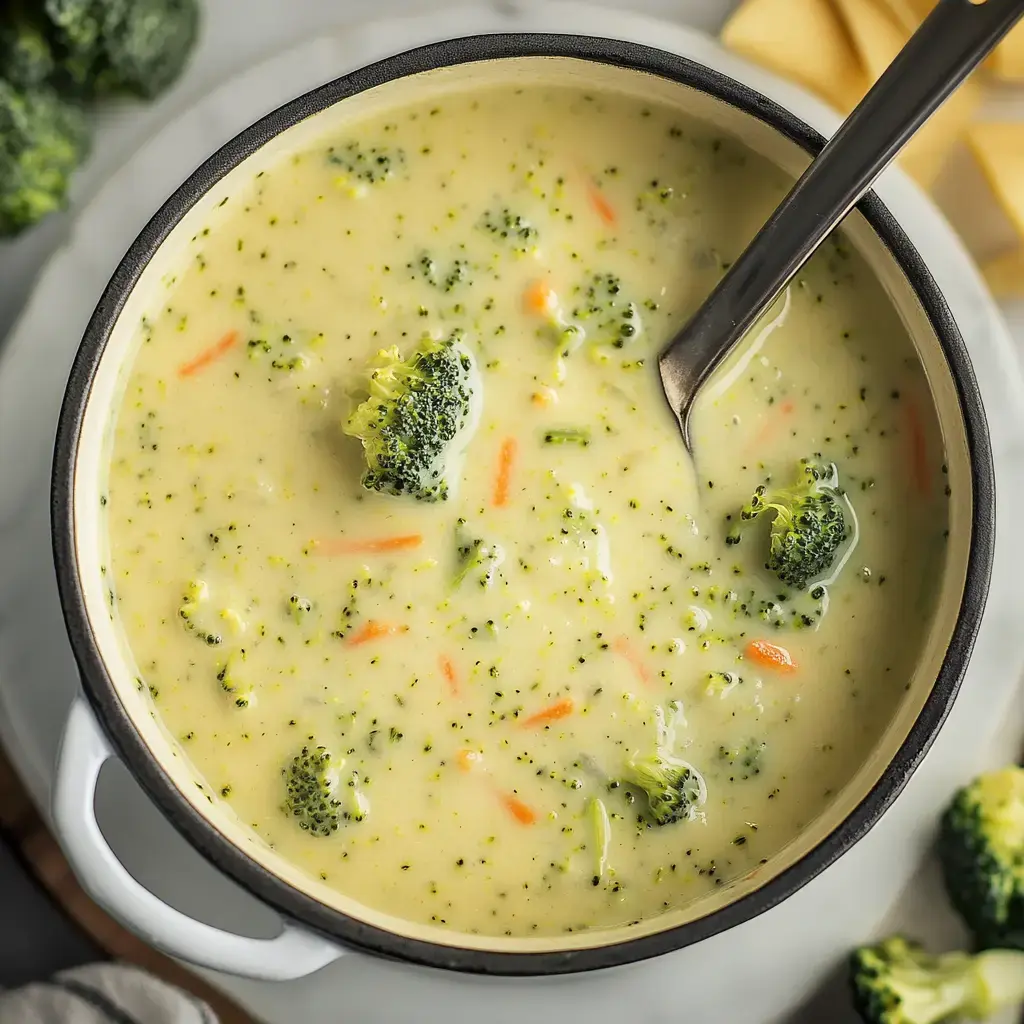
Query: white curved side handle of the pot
pixel 293 954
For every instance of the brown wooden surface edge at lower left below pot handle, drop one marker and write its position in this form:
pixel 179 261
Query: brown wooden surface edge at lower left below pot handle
pixel 30 837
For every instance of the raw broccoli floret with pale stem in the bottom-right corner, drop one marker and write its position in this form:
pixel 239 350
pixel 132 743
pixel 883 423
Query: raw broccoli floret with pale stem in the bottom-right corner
pixel 897 983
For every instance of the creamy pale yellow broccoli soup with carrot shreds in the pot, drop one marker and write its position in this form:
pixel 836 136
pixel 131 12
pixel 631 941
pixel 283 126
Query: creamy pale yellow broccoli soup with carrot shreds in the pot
pixel 561 682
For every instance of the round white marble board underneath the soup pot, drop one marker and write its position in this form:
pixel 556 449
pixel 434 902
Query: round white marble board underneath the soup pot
pixel 755 974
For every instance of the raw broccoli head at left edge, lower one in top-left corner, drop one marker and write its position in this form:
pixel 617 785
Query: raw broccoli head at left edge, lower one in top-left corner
pixel 42 140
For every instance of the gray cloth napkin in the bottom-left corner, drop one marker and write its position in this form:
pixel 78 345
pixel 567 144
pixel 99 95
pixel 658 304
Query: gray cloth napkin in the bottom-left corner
pixel 103 994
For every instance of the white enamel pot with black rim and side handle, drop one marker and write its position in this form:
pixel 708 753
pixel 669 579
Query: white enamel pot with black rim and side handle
pixel 116 719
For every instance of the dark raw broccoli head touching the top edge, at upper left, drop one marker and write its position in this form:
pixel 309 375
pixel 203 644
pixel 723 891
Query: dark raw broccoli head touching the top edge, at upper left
pixel 136 47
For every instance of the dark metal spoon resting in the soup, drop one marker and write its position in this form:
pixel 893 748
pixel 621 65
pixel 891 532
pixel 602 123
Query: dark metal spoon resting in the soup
pixel 951 44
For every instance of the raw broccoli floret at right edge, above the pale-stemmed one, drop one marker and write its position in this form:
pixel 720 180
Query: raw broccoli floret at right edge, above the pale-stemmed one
pixel 982 848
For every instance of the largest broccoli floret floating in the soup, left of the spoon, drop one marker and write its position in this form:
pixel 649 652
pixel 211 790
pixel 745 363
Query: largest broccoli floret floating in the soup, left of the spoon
pixel 418 420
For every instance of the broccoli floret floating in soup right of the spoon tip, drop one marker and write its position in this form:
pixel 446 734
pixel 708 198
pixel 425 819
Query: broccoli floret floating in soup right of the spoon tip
pixel 809 526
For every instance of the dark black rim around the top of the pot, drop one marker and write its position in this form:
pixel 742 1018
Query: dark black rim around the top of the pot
pixel 231 860
